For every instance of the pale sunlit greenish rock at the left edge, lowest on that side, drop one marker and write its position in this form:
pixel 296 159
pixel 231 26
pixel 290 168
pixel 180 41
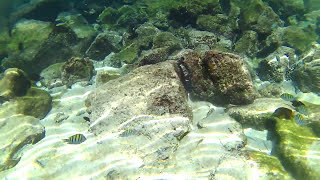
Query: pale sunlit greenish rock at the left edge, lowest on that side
pixel 27 130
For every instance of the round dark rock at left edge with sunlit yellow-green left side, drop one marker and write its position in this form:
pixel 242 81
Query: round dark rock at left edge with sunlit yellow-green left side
pixel 14 83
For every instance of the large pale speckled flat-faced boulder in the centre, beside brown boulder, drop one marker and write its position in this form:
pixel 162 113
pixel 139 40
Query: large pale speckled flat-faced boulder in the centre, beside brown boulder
pixel 152 89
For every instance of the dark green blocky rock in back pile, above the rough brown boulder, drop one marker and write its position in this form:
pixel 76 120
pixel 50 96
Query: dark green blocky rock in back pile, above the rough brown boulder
pixel 219 24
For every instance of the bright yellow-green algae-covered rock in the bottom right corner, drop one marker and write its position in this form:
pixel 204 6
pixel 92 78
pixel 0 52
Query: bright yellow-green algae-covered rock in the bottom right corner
pixel 293 143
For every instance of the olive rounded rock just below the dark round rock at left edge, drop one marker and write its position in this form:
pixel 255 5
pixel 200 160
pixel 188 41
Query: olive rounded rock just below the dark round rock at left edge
pixel 36 103
